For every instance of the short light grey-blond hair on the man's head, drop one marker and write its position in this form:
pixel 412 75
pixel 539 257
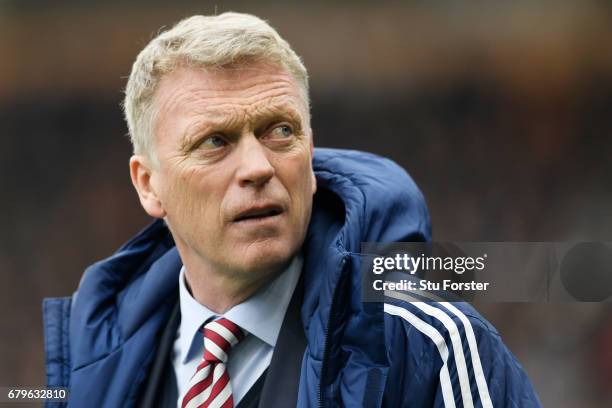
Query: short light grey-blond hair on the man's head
pixel 227 39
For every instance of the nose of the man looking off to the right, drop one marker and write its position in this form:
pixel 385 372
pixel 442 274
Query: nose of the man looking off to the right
pixel 254 168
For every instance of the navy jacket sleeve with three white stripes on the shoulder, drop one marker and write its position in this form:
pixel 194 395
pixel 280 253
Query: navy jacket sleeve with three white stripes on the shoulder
pixel 447 355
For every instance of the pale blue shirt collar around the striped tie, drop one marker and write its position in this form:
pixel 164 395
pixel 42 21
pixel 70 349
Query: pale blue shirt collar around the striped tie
pixel 260 315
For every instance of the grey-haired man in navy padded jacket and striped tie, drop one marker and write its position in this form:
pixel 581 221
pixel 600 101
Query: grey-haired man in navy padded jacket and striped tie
pixel 246 291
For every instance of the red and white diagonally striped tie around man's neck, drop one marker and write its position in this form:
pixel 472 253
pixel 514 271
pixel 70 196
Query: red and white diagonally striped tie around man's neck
pixel 210 385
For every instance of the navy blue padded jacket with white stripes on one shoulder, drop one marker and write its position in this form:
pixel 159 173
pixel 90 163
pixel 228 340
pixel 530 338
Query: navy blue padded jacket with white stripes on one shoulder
pixel 101 341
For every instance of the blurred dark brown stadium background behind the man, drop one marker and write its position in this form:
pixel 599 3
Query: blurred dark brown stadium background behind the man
pixel 501 112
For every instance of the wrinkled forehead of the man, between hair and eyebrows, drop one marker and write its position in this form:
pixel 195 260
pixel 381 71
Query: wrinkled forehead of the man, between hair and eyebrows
pixel 219 94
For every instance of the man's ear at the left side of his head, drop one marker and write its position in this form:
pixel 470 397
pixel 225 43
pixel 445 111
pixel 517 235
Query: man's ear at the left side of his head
pixel 142 174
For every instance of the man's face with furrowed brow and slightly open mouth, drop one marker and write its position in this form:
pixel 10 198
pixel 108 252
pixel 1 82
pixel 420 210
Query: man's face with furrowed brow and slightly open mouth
pixel 235 180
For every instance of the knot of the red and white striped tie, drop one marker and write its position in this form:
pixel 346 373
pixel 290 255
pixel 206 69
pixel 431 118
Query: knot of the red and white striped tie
pixel 219 337
